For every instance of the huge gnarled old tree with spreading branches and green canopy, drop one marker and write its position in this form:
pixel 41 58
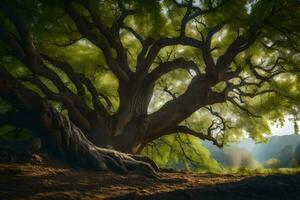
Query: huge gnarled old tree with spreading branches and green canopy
pixel 82 74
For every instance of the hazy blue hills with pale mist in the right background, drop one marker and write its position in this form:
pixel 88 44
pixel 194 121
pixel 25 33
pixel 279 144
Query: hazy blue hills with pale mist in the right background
pixel 249 154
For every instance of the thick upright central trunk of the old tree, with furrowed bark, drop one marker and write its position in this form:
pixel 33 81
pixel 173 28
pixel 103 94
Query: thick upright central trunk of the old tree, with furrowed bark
pixel 131 120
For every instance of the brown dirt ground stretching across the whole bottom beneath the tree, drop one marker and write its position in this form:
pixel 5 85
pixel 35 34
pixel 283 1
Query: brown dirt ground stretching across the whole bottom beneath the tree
pixel 28 181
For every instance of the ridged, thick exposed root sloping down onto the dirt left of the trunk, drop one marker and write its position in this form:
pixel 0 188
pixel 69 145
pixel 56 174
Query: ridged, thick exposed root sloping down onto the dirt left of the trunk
pixel 71 144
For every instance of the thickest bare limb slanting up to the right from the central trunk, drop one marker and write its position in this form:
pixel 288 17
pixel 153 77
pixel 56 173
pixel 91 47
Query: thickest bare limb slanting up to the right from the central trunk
pixel 197 95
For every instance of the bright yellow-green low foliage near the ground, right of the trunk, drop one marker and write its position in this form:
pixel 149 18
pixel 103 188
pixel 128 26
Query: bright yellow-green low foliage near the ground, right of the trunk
pixel 181 151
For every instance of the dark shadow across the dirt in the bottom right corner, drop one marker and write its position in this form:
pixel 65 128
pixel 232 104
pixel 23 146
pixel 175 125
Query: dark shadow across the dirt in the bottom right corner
pixel 264 187
